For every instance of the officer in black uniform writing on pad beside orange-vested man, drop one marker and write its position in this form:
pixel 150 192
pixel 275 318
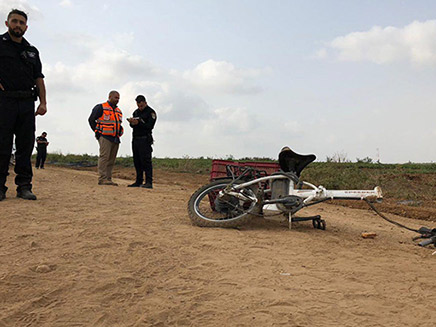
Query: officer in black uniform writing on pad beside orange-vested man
pixel 142 122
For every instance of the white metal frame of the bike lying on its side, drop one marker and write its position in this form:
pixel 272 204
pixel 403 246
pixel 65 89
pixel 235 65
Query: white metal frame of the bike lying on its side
pixel 314 195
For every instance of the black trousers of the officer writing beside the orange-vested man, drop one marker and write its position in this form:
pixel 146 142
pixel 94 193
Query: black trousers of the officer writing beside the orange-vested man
pixel 142 150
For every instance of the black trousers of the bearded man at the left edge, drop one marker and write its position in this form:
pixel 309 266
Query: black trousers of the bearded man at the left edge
pixel 17 117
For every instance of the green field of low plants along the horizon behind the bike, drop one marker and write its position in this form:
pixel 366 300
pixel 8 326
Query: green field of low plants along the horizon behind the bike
pixel 409 181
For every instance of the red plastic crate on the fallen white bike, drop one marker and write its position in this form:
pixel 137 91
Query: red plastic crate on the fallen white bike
pixel 219 169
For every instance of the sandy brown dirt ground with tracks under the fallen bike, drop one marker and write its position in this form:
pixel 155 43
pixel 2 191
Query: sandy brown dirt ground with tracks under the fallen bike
pixel 89 255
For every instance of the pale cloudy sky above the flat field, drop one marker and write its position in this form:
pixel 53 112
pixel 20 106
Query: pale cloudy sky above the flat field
pixel 243 78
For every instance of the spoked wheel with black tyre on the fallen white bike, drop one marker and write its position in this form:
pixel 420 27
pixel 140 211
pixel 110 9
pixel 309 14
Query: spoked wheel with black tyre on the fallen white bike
pixel 206 210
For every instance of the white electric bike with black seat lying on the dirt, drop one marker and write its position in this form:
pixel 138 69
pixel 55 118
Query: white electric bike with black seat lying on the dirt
pixel 233 201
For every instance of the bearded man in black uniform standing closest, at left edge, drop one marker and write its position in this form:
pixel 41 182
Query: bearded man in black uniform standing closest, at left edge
pixel 21 82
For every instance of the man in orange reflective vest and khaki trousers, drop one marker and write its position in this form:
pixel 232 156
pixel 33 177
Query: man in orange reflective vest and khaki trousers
pixel 105 121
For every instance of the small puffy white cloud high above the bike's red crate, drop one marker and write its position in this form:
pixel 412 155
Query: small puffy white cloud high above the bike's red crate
pixel 224 77
